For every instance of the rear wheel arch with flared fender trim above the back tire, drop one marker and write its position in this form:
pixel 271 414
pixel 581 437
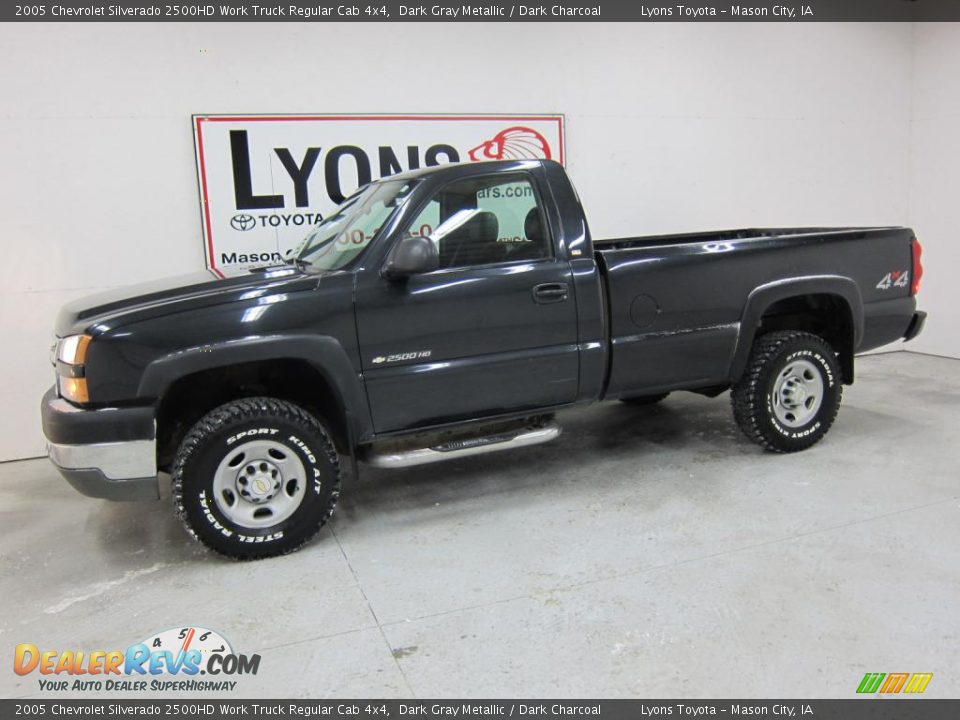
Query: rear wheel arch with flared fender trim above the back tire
pixel 833 310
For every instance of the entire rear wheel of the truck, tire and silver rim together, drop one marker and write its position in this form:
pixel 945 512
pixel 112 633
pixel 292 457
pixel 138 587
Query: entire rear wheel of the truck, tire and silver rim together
pixel 790 392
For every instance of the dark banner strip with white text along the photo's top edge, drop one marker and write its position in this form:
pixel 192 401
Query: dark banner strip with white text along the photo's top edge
pixel 453 11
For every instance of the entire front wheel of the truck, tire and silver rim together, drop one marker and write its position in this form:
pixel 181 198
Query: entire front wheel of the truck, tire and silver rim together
pixel 255 478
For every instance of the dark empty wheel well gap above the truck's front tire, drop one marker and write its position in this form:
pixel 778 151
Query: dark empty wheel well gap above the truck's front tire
pixel 191 396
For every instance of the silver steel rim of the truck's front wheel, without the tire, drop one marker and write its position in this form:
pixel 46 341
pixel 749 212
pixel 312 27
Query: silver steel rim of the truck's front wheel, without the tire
pixel 259 484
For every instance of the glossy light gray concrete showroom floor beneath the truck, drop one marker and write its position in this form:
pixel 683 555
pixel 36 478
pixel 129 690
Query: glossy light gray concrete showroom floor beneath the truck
pixel 650 552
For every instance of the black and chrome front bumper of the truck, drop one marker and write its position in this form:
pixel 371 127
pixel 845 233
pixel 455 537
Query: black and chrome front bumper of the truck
pixel 108 453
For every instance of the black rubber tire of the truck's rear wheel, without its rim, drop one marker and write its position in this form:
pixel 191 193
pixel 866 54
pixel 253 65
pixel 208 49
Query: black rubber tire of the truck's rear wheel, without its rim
pixel 753 396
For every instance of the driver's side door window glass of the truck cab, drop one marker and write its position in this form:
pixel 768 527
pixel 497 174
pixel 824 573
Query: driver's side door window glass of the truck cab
pixel 485 220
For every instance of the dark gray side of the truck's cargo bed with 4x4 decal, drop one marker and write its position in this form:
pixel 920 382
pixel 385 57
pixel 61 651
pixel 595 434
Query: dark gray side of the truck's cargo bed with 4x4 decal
pixel 676 302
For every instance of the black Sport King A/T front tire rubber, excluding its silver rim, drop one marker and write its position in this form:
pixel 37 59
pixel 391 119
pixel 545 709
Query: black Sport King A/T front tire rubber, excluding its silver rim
pixel 220 432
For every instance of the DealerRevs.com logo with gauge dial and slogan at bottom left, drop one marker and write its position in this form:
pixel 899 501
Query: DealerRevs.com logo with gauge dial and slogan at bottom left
pixel 175 660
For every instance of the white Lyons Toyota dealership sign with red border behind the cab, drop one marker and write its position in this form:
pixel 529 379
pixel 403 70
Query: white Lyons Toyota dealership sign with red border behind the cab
pixel 266 179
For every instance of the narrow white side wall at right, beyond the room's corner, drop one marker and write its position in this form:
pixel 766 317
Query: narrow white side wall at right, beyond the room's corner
pixel 935 181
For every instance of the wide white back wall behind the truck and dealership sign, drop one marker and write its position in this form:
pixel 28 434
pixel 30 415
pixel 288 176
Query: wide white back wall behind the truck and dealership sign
pixel 710 125
